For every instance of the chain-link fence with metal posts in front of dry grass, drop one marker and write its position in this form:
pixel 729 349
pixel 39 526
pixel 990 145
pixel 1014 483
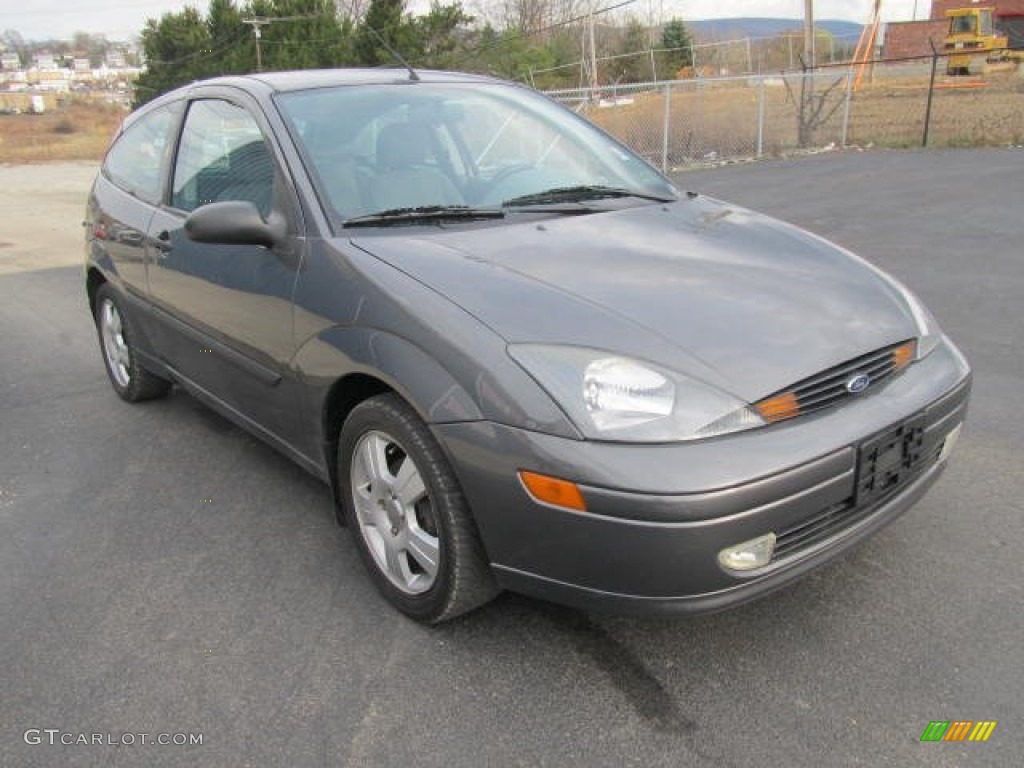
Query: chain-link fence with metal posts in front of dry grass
pixel 684 123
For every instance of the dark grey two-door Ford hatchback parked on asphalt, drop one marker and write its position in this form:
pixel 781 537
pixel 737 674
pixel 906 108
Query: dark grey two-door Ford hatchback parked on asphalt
pixel 519 356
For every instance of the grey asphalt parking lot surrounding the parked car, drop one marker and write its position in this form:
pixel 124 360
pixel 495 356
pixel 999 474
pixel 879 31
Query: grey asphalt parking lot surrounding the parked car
pixel 166 574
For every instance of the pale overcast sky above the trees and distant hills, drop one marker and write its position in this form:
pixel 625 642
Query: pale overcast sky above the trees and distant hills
pixel 122 20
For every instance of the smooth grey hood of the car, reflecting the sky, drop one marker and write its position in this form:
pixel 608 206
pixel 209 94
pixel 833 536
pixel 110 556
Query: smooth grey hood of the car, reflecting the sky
pixel 735 298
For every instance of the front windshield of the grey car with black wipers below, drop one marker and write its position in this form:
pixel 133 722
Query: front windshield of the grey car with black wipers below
pixel 413 146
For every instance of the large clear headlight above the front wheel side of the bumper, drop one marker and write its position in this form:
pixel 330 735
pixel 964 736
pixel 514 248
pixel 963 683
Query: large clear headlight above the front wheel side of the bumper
pixel 612 398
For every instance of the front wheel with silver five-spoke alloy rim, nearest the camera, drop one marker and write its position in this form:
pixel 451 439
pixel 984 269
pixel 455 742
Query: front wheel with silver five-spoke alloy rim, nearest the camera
pixel 408 516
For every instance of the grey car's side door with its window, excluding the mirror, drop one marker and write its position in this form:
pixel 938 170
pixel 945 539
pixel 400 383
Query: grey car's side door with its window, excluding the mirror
pixel 227 310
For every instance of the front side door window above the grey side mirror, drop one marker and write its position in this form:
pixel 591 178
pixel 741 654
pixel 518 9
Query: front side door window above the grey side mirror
pixel 223 156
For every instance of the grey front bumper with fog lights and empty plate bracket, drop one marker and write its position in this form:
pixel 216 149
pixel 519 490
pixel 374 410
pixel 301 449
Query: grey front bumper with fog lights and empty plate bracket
pixel 659 516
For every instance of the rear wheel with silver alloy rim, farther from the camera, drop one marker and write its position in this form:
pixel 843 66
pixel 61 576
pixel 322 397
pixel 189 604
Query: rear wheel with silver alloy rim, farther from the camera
pixel 117 343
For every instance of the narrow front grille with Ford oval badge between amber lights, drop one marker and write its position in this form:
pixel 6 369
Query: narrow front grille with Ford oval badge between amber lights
pixel 832 387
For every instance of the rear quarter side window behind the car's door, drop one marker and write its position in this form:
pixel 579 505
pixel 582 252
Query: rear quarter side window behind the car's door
pixel 136 160
